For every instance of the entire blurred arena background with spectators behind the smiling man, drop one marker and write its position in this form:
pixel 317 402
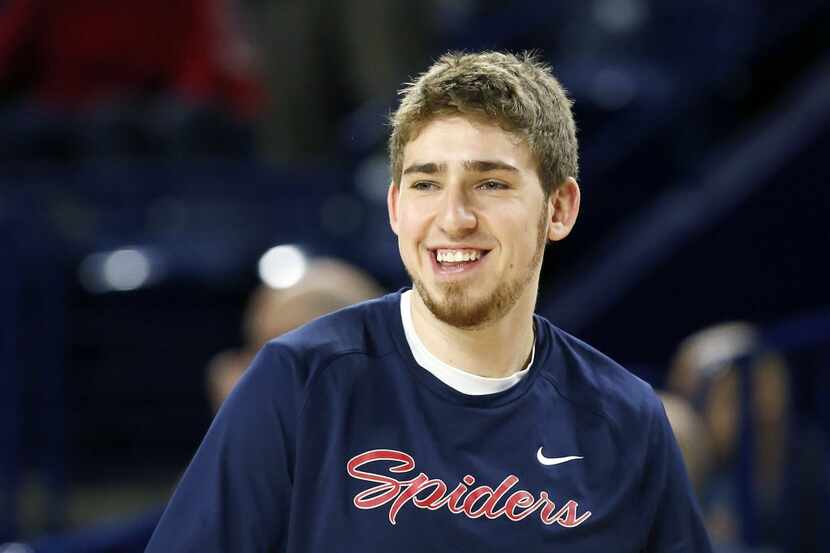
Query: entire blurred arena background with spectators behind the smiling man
pixel 181 180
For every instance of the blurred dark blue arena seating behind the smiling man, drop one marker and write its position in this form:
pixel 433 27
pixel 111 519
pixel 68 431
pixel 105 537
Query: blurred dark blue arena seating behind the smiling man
pixel 131 238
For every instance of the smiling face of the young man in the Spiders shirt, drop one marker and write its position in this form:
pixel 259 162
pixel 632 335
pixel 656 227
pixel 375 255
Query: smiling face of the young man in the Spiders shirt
pixel 471 219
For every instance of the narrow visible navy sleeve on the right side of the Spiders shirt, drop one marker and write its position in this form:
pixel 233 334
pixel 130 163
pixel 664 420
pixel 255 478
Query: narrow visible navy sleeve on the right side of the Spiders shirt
pixel 678 525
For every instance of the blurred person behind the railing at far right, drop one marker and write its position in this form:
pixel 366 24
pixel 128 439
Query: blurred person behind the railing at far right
pixel 787 473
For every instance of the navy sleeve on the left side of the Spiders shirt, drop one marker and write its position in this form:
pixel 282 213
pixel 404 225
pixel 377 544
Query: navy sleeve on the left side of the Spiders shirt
pixel 235 494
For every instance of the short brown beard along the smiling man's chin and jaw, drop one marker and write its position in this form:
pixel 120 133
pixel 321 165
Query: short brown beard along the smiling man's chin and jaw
pixel 460 311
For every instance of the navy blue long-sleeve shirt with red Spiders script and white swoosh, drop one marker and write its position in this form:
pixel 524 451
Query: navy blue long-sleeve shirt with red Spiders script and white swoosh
pixel 337 440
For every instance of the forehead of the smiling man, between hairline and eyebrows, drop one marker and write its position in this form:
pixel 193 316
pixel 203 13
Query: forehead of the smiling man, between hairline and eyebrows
pixel 458 139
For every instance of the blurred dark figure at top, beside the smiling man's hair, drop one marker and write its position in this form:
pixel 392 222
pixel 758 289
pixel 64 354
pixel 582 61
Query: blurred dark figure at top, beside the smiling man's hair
pixel 324 59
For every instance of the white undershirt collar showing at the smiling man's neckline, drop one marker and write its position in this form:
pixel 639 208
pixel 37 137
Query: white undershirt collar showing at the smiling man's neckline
pixel 460 380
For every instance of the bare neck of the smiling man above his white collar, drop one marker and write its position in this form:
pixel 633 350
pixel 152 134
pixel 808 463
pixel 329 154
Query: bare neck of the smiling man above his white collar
pixel 498 349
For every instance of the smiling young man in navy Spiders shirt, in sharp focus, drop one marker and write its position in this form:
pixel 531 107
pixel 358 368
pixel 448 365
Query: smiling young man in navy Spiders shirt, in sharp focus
pixel 447 417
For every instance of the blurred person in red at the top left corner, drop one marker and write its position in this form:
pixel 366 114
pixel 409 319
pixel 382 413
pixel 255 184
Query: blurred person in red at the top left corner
pixel 90 77
